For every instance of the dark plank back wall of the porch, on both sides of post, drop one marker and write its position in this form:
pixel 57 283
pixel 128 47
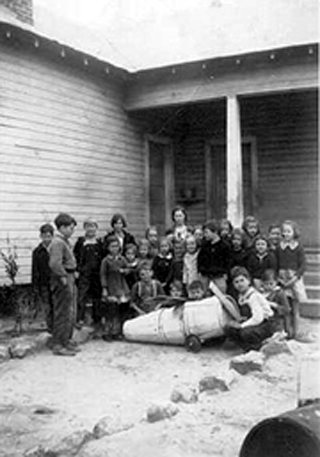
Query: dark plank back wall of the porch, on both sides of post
pixel 285 127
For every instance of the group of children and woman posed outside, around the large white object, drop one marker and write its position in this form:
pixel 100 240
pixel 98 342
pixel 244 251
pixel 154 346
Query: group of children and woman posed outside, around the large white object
pixel 118 277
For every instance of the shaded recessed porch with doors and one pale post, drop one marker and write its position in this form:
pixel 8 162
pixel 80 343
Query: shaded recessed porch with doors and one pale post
pixel 235 156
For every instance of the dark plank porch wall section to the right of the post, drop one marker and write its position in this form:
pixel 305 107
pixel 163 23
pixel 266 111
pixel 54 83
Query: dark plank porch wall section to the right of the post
pixel 286 129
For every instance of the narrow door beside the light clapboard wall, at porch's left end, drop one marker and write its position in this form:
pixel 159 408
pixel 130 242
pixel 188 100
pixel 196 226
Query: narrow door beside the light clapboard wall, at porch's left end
pixel 160 185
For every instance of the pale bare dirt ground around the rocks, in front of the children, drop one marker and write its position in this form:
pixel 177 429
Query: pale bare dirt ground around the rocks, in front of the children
pixel 123 379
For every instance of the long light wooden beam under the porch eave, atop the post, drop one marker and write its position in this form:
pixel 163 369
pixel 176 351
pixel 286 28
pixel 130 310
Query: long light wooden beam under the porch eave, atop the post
pixel 174 91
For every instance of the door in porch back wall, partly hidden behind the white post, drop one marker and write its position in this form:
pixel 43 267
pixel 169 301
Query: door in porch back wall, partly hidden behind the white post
pixel 216 177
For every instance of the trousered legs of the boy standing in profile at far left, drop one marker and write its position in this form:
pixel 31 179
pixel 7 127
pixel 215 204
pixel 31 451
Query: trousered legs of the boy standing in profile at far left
pixel 62 298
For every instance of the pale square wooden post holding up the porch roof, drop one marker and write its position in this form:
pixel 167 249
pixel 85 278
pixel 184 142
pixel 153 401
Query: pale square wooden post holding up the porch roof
pixel 234 163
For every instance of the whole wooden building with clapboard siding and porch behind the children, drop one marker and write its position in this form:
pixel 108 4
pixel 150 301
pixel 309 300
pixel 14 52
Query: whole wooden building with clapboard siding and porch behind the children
pixel 226 136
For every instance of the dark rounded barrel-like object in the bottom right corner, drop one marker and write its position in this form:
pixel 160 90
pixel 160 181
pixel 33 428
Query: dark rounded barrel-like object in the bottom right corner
pixel 292 434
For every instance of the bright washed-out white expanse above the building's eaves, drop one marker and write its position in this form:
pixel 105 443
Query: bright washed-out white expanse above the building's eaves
pixel 145 35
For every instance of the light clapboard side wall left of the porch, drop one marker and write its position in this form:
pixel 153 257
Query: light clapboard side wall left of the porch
pixel 66 144
